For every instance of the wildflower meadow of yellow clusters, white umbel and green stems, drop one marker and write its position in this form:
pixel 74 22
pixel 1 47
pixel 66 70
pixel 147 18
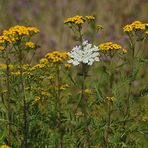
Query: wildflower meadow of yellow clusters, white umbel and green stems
pixel 83 97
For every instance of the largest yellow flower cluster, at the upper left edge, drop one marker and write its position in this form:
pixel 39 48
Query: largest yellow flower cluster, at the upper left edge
pixel 15 33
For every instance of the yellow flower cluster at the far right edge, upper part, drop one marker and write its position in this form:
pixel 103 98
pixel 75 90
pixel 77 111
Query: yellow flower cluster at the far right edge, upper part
pixel 137 25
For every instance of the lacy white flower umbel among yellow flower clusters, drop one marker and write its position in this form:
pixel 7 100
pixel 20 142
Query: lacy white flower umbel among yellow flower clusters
pixel 85 53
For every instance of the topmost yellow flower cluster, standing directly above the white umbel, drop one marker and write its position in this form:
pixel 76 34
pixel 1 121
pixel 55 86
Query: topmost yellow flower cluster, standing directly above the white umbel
pixel 78 20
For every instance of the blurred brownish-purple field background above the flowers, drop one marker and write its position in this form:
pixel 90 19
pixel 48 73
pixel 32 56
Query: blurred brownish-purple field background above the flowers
pixel 49 15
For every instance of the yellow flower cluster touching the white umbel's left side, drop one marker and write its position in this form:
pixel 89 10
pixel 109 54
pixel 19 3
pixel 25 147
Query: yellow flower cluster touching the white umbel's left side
pixel 56 56
